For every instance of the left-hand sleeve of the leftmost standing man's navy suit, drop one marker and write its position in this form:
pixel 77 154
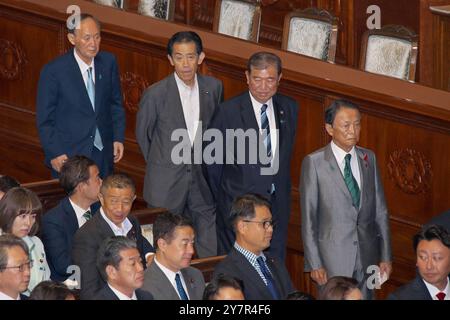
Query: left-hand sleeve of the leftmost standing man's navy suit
pixel 47 102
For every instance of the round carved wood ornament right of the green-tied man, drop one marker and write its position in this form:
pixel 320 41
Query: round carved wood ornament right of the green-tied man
pixel 410 170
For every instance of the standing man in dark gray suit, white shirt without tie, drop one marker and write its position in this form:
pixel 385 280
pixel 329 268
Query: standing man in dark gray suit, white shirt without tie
pixel 180 107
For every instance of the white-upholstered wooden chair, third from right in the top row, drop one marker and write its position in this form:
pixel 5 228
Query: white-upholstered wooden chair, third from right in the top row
pixel 239 19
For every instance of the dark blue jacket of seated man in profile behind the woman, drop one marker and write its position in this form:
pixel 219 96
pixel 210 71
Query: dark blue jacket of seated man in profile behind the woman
pixel 58 229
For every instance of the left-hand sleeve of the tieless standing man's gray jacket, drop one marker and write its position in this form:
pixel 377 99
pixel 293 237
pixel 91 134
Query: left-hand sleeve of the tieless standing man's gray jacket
pixel 145 123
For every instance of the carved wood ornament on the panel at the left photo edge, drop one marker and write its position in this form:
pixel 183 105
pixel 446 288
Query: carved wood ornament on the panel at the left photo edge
pixel 12 60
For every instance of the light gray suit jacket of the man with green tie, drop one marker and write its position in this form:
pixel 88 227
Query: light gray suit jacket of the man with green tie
pixel 333 230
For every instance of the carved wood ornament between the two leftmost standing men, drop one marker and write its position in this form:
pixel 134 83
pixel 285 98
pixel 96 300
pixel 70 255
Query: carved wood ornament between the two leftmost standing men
pixel 133 85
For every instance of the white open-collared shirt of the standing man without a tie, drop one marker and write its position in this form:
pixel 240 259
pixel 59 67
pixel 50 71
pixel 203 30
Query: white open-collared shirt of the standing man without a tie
pixel 190 101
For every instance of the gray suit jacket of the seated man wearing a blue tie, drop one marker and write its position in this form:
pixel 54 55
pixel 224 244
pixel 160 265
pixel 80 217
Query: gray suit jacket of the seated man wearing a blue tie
pixel 160 287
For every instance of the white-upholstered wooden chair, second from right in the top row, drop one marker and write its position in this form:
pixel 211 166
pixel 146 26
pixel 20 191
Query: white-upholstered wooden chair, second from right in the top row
pixel 311 32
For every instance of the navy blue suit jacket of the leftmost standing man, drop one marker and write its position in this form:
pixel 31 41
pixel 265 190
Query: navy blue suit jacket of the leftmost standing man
pixel 65 118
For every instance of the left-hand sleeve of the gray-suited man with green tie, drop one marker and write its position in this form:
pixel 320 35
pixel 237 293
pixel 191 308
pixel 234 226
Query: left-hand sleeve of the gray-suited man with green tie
pixel 309 199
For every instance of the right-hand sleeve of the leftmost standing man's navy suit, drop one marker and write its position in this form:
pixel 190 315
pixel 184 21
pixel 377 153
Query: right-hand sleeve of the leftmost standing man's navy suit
pixel 117 111
